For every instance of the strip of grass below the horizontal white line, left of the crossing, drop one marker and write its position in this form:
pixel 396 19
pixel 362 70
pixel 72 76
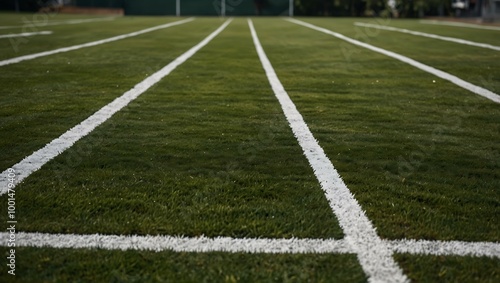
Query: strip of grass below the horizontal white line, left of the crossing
pixel 70 265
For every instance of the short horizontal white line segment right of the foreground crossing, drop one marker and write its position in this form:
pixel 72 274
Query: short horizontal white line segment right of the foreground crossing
pixel 446 248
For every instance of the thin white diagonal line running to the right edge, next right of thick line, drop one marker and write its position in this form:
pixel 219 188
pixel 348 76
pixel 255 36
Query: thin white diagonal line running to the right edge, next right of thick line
pixel 446 76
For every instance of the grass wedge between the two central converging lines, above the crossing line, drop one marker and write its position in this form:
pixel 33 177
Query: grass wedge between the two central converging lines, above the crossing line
pixel 205 152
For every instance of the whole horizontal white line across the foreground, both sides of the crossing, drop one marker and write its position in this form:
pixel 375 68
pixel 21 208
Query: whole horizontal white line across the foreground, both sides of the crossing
pixel 245 245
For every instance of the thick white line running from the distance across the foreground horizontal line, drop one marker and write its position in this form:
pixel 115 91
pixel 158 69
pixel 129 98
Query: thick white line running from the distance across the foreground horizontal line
pixel 373 254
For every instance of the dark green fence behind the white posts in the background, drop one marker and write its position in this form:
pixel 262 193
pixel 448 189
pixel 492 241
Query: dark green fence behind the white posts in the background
pixel 192 7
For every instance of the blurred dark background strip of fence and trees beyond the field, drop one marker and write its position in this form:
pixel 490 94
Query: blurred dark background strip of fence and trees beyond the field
pixel 488 10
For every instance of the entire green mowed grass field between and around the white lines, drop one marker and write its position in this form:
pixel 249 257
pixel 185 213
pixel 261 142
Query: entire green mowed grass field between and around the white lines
pixel 207 151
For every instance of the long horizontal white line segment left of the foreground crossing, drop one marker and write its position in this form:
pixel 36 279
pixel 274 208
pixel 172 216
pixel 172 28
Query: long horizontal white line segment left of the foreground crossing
pixel 179 244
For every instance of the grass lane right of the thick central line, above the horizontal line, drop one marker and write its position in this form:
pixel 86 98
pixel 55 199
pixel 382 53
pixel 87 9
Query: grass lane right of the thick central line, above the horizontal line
pixel 421 157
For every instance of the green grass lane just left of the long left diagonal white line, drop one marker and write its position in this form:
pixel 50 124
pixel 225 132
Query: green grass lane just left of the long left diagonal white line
pixel 43 98
